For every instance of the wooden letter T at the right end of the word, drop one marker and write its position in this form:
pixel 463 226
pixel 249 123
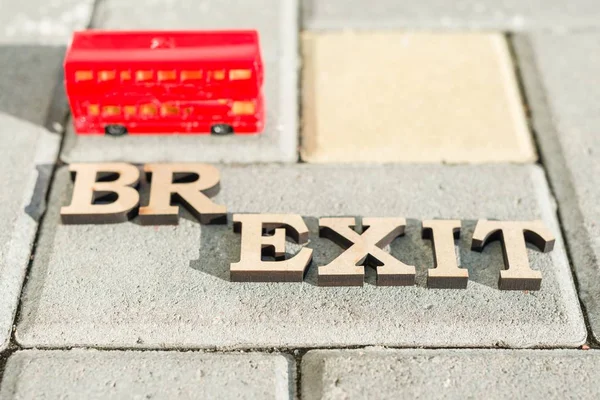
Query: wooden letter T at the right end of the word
pixel 513 234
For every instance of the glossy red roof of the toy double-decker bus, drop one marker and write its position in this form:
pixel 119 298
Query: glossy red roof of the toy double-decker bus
pixel 92 46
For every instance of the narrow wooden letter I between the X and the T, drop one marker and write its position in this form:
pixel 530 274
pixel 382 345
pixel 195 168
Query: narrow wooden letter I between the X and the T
pixel 446 273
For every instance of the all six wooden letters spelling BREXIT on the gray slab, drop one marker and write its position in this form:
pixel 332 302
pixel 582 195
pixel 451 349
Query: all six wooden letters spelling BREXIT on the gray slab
pixel 106 193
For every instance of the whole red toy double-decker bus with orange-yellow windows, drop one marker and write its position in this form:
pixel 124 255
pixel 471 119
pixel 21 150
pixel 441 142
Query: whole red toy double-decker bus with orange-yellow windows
pixel 165 82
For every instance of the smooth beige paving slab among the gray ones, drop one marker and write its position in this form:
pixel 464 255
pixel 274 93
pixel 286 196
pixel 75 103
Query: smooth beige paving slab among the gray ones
pixel 411 97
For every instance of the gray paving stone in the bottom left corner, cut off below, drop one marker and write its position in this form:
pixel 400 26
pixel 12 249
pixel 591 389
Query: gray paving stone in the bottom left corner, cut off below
pixel 93 374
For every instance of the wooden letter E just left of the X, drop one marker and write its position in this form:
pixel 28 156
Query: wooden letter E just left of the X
pixel 251 267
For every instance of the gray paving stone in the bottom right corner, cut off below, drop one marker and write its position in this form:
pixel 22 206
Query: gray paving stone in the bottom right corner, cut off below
pixel 450 374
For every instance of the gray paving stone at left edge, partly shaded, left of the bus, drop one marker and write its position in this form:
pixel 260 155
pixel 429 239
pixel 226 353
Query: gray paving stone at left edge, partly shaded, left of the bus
pixel 27 153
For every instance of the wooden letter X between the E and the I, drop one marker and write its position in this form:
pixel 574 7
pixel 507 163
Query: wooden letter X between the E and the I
pixel 366 249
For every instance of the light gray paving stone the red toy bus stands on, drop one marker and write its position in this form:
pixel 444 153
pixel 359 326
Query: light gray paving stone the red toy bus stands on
pixel 276 22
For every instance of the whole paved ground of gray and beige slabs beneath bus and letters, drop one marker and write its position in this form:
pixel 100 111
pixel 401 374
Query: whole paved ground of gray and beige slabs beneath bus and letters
pixel 366 108
